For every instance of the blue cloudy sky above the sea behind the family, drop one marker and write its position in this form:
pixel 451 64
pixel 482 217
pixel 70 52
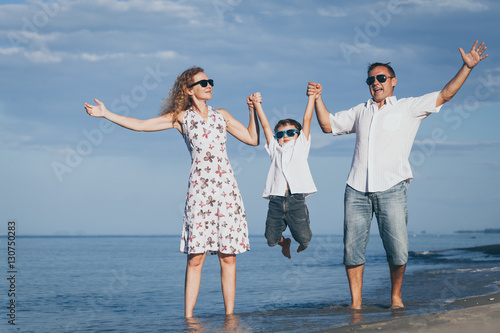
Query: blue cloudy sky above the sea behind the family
pixel 66 173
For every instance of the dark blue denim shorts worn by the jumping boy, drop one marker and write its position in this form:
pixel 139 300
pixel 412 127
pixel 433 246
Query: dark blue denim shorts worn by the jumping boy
pixel 289 210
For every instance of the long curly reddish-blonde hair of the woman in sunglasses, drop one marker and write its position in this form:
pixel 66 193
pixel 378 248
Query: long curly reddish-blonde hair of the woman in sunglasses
pixel 178 99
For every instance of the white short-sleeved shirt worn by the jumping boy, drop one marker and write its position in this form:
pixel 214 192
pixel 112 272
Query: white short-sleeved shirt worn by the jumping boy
pixel 289 164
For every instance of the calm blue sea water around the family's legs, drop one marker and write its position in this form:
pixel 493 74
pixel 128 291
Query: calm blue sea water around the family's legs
pixel 136 284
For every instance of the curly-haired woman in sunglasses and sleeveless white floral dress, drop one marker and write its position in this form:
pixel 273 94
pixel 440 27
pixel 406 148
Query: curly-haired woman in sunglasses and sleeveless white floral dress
pixel 214 215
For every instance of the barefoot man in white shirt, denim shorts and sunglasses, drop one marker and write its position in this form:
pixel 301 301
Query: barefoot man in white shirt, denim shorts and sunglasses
pixel 385 128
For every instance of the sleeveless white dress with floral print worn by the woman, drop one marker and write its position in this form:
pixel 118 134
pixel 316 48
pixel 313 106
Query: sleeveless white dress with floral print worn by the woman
pixel 214 216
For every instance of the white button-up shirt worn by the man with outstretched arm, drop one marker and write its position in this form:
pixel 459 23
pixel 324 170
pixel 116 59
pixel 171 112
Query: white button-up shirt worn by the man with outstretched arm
pixel 384 138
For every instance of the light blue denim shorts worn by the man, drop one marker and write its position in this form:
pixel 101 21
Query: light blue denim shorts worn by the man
pixel 392 217
